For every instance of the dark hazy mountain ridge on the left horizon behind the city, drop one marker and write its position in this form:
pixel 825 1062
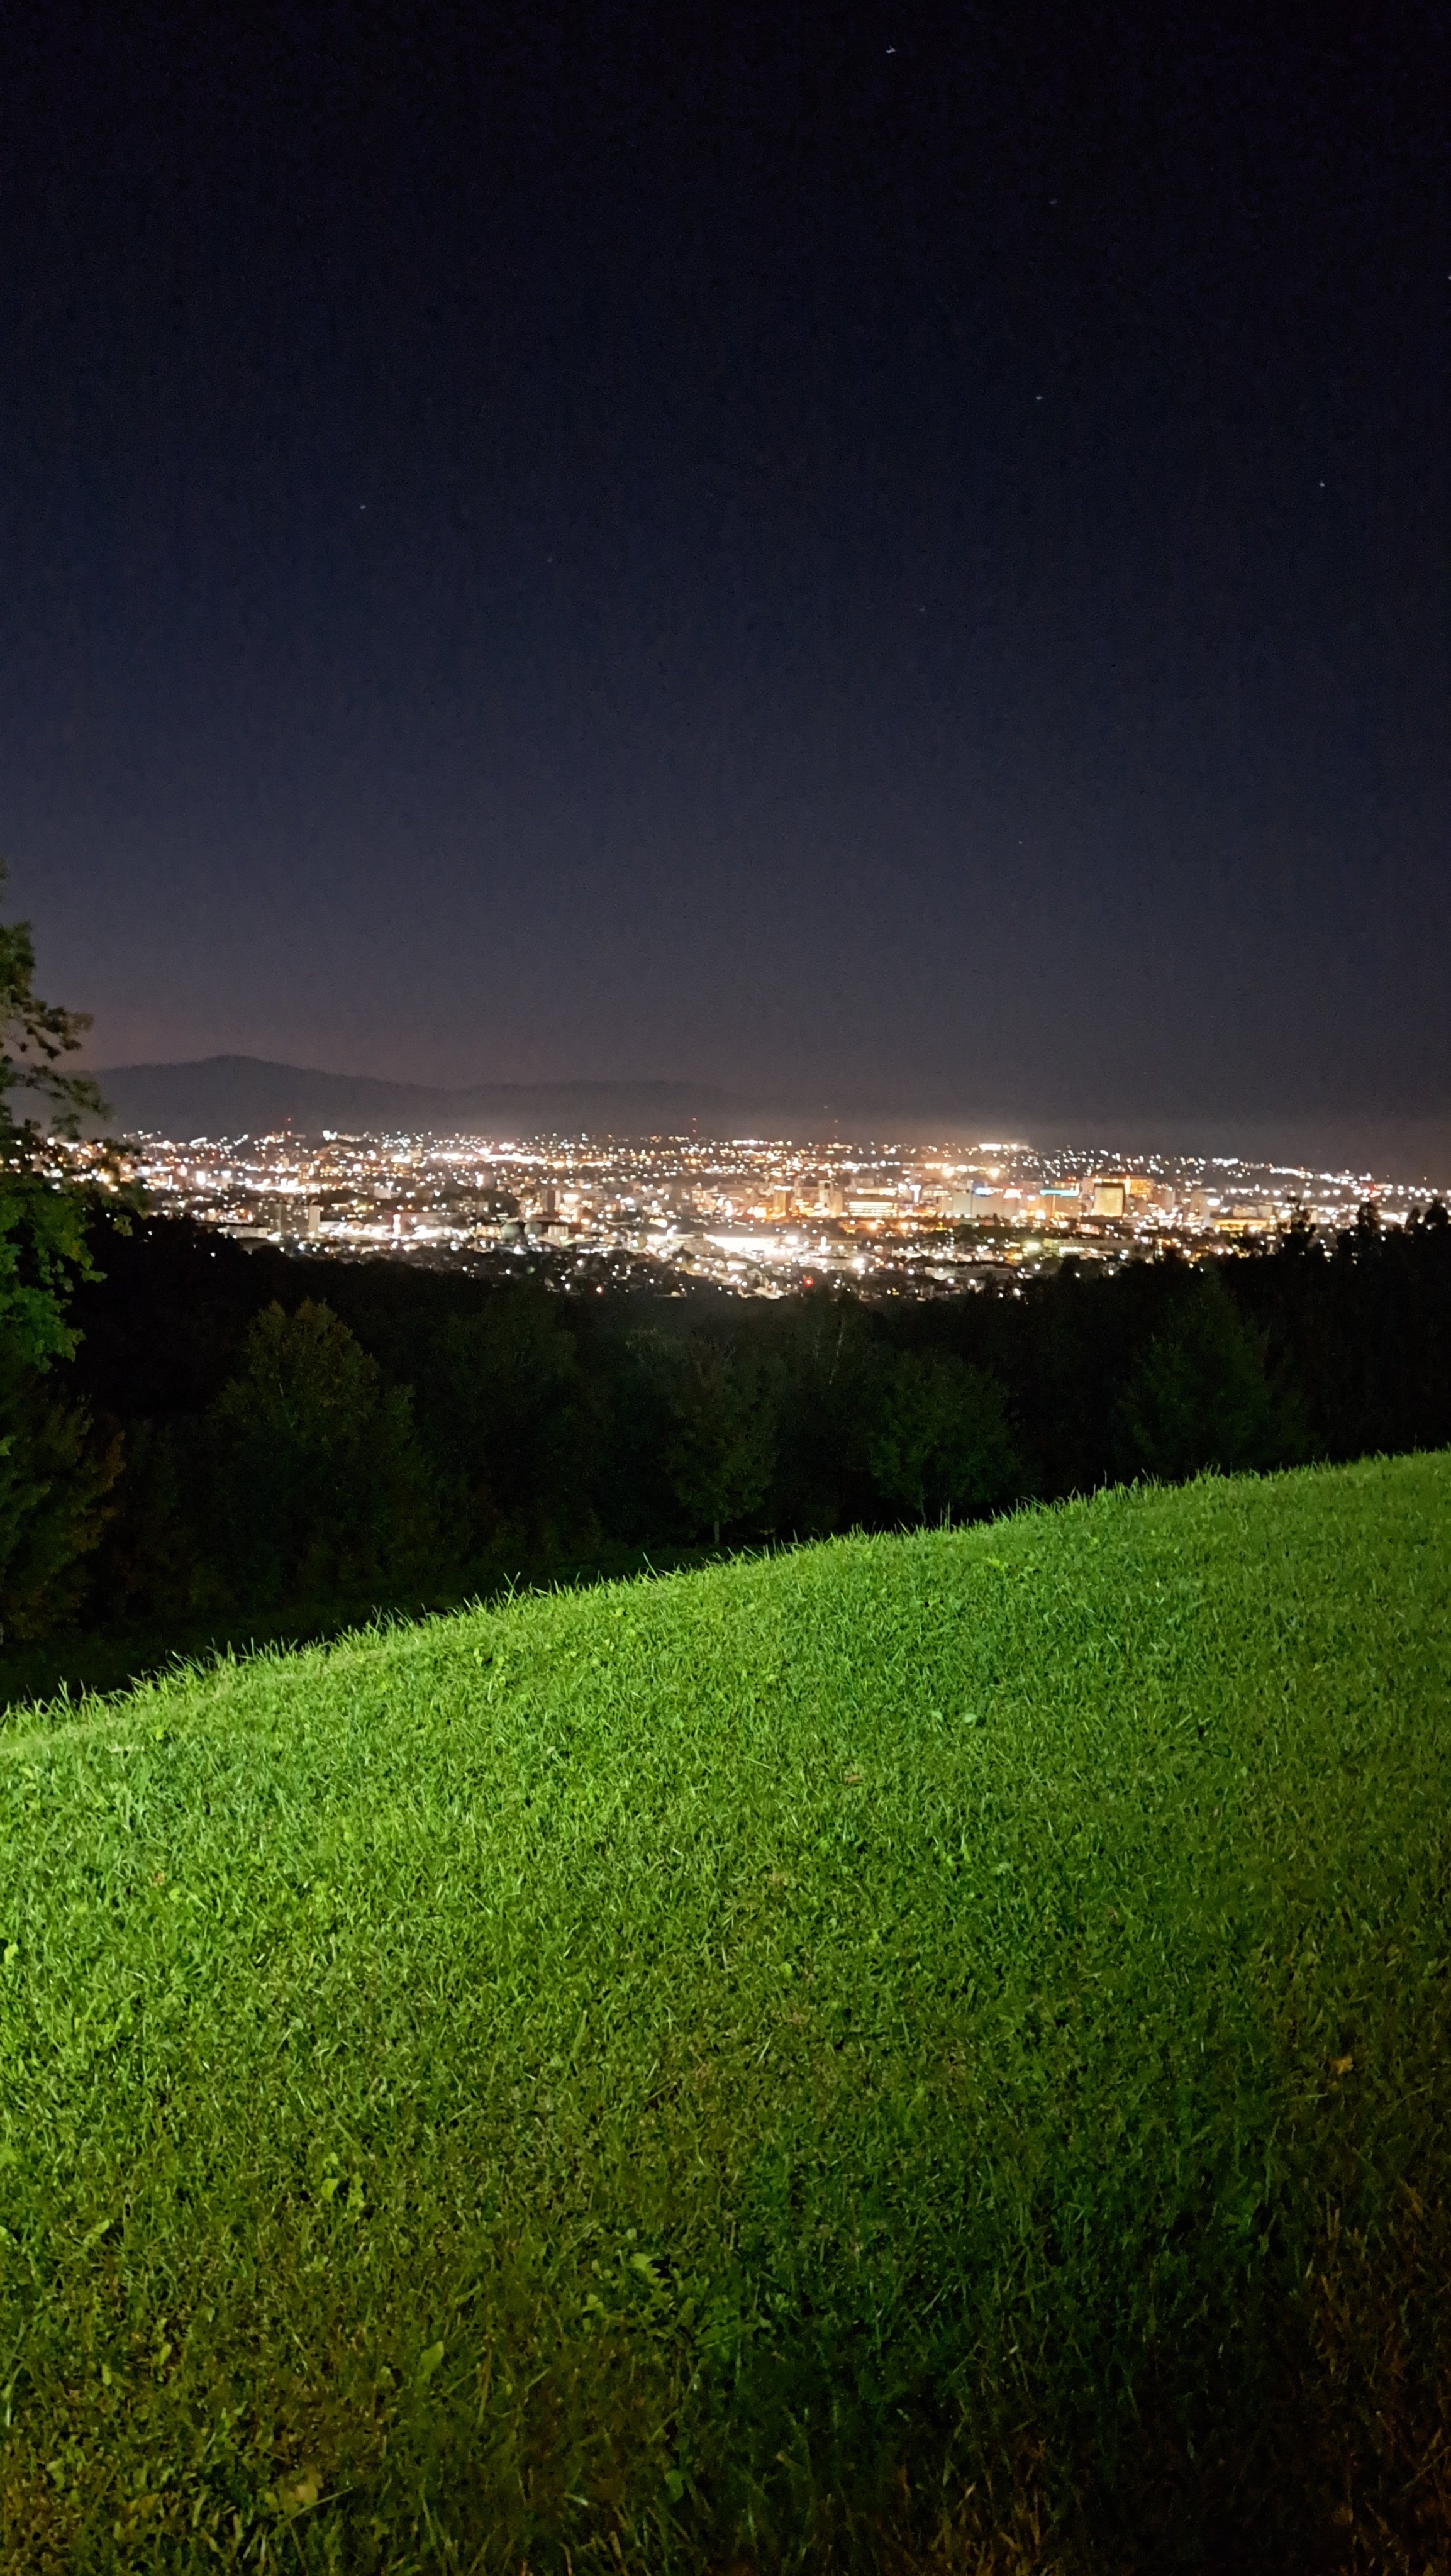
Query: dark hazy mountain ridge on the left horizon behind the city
pixel 244 1096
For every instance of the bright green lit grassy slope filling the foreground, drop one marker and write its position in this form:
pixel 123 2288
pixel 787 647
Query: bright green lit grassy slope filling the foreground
pixel 916 2054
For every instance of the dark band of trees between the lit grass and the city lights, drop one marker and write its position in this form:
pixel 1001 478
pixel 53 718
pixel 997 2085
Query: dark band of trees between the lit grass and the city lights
pixel 249 1436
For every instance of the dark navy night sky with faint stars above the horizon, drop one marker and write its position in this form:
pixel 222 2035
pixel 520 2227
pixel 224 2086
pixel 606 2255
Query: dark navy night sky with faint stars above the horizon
pixel 867 553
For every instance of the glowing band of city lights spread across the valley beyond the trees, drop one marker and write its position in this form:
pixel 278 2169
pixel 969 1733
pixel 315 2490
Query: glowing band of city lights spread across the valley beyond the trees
pixel 756 1217
